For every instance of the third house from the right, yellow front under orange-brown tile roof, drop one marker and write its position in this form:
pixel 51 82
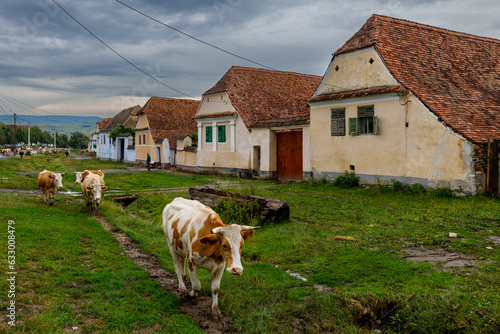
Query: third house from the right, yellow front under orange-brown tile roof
pixel 161 122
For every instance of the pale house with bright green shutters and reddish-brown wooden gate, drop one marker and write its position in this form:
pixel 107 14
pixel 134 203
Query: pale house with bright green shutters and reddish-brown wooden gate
pixel 256 121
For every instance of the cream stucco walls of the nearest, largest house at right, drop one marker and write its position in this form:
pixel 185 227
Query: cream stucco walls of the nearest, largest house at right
pixel 411 144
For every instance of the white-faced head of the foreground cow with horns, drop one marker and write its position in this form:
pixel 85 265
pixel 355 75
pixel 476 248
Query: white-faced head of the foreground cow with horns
pixel 230 239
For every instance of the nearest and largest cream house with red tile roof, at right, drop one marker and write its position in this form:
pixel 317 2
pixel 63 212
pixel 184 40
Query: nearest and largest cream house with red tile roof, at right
pixel 409 102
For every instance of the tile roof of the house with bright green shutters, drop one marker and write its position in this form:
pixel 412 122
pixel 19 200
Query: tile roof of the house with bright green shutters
pixel 265 98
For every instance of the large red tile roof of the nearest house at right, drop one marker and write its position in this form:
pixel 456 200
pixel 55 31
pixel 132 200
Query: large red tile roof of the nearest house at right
pixel 456 75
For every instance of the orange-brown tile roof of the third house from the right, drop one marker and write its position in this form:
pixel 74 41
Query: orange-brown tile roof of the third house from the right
pixel 170 118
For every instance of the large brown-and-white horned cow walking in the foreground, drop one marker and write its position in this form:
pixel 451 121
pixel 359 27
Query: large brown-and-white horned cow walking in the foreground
pixel 196 233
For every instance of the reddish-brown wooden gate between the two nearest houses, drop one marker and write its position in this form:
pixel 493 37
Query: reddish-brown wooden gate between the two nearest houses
pixel 289 155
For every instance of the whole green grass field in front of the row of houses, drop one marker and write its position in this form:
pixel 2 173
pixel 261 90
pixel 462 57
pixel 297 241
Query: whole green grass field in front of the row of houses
pixel 347 245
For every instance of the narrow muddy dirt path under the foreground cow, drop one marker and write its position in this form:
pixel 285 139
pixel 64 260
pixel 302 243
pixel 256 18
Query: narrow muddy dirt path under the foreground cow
pixel 199 309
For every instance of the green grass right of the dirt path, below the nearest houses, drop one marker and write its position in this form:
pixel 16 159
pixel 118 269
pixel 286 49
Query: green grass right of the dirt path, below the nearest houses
pixel 367 274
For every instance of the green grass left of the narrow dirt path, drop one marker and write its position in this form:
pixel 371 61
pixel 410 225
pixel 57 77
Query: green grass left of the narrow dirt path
pixel 71 273
